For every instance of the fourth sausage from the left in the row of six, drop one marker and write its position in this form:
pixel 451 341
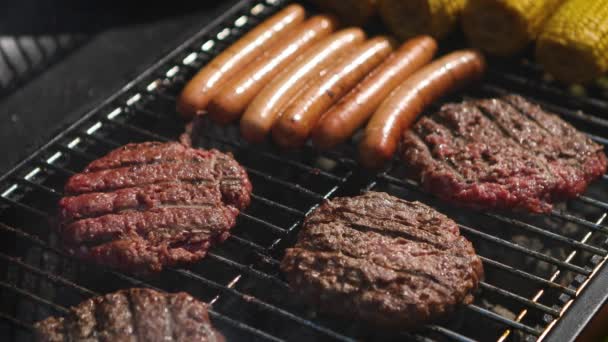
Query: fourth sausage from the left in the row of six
pixel 294 126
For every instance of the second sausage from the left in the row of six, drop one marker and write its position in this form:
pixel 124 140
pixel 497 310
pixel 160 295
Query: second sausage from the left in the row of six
pixel 234 96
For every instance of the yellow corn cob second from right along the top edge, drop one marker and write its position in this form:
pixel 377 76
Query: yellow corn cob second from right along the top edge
pixel 505 27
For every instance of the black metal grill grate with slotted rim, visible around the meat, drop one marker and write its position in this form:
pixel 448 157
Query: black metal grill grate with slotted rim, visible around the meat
pixel 545 274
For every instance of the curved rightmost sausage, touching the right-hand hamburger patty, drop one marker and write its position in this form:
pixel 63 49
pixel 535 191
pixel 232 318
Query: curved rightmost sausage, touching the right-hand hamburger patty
pixel 399 110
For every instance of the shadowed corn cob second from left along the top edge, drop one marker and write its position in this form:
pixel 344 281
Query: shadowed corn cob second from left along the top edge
pixel 409 18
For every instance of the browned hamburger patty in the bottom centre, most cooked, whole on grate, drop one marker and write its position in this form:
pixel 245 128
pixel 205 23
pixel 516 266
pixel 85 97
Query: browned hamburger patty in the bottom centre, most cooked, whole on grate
pixel 382 260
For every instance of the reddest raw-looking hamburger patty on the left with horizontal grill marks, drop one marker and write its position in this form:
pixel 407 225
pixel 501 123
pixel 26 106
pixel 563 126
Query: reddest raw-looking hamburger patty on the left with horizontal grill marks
pixel 151 204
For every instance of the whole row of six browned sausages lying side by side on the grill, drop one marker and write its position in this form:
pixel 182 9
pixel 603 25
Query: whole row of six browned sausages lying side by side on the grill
pixel 295 78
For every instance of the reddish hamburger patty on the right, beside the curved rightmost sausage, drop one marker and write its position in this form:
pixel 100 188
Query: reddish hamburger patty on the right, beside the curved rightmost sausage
pixel 501 153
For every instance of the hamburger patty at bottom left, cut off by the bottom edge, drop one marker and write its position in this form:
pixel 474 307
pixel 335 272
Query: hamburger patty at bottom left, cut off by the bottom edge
pixel 132 315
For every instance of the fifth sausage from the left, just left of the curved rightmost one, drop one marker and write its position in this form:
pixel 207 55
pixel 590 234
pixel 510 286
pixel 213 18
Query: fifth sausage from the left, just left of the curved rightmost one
pixel 348 114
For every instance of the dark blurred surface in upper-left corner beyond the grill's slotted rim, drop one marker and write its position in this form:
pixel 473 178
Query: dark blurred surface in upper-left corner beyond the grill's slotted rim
pixel 60 58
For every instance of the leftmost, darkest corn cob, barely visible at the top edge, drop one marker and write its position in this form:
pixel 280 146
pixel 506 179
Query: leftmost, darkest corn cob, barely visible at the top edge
pixel 351 12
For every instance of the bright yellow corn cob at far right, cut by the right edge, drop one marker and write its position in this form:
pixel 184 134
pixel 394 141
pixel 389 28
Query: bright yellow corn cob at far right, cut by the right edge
pixel 573 45
